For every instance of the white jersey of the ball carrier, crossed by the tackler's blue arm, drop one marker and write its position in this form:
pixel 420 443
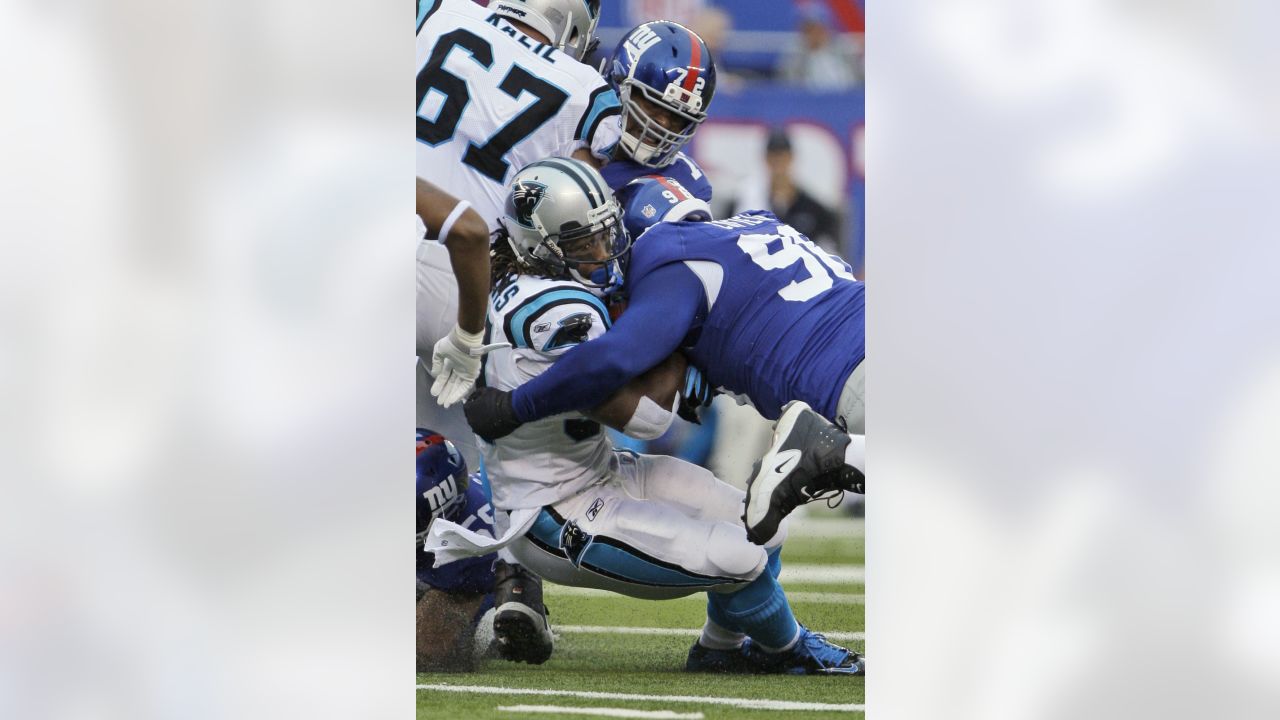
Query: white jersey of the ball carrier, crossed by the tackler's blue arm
pixel 556 458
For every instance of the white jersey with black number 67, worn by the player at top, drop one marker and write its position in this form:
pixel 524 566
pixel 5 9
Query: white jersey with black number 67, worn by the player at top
pixel 492 101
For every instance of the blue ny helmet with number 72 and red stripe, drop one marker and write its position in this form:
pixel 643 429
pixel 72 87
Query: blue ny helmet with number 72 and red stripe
pixel 666 65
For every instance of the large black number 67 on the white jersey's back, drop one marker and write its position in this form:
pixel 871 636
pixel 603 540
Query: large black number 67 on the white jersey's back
pixel 488 158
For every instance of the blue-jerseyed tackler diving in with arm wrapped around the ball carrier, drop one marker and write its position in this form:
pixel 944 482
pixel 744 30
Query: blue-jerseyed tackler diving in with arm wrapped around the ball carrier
pixel 761 311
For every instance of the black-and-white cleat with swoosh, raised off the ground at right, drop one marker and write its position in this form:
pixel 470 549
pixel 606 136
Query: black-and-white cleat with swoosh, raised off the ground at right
pixel 804 463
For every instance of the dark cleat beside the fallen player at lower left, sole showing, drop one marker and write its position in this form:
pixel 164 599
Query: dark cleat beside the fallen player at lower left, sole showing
pixel 520 628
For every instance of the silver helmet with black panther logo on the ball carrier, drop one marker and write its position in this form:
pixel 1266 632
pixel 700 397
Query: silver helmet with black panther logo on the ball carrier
pixel 563 221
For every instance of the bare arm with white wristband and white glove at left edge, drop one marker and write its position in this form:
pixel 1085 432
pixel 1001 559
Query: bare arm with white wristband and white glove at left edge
pixel 456 359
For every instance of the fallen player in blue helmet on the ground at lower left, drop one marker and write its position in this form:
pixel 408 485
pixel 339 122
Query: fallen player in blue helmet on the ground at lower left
pixel 452 599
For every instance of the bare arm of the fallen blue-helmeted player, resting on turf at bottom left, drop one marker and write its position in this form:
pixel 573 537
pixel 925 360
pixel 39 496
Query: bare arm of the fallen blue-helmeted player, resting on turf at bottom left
pixel 445 631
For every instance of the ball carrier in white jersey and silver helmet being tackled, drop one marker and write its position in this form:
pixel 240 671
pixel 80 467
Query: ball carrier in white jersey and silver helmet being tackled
pixel 586 514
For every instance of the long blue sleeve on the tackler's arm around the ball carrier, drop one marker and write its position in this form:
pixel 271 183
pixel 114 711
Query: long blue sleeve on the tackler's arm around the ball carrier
pixel 661 313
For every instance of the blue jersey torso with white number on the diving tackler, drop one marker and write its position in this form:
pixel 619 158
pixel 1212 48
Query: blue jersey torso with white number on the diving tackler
pixel 785 321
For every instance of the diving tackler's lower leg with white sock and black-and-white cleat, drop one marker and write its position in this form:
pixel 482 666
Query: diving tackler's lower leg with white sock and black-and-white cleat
pixel 811 459
